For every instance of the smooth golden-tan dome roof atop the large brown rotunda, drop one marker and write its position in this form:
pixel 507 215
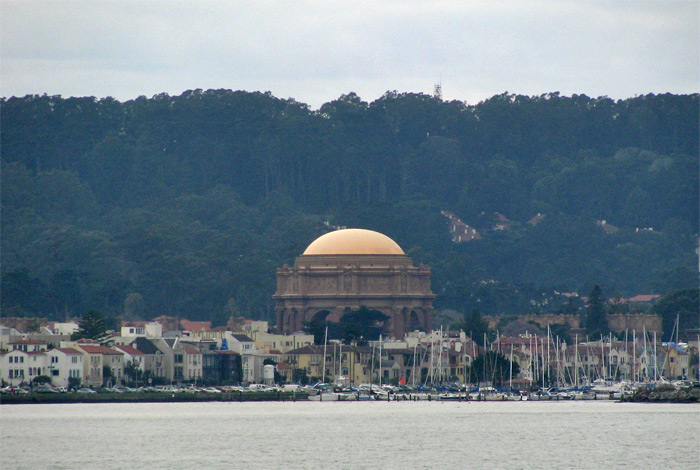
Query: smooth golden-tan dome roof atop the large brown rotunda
pixel 354 241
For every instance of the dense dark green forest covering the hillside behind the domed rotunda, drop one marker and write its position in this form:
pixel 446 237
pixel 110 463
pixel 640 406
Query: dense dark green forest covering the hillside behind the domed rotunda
pixel 181 205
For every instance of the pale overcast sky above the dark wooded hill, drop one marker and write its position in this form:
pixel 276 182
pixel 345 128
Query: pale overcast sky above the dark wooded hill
pixel 315 51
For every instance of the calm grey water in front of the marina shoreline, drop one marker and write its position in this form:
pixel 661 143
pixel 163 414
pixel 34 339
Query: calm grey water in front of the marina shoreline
pixel 380 435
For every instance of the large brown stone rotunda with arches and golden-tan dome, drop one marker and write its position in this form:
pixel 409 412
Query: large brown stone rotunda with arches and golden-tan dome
pixel 347 269
